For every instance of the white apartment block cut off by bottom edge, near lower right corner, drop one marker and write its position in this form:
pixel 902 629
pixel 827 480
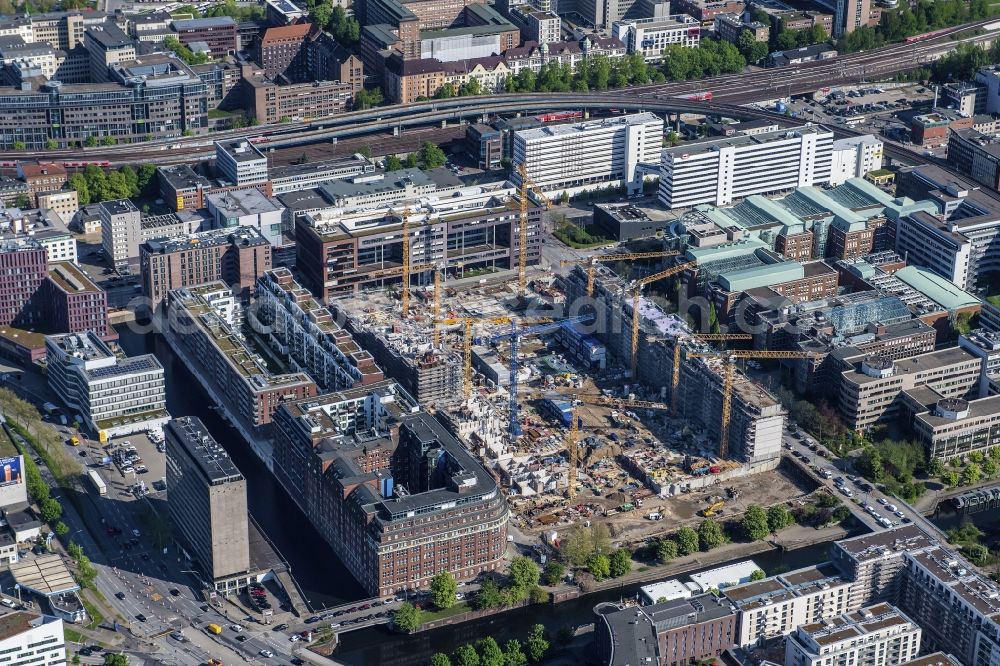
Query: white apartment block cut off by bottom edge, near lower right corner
pixel 878 635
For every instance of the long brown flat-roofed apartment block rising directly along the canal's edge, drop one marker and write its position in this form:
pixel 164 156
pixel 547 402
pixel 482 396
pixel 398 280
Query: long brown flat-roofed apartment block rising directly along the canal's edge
pixel 234 372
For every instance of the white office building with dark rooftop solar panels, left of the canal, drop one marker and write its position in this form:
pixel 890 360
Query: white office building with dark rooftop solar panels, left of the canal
pixel 106 392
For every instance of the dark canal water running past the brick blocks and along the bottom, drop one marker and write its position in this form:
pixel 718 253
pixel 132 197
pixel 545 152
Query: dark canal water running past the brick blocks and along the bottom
pixel 326 582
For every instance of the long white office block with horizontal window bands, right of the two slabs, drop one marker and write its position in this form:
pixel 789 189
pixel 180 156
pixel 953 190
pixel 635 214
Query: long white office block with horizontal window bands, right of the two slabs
pixel 723 171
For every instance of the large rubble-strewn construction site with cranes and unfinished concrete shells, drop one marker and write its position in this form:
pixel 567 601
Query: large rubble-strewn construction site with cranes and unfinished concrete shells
pixel 583 416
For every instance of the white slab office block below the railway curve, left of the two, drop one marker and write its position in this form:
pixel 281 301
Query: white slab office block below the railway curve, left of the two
pixel 590 155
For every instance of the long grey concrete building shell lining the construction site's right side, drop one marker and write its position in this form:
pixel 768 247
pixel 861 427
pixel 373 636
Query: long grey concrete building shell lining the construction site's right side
pixel 756 420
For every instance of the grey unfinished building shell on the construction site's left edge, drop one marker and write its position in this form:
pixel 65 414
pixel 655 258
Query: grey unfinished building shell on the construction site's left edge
pixel 404 351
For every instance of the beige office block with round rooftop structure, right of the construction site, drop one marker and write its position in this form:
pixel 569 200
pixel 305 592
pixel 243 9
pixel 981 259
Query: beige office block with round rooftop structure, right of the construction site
pixel 871 392
